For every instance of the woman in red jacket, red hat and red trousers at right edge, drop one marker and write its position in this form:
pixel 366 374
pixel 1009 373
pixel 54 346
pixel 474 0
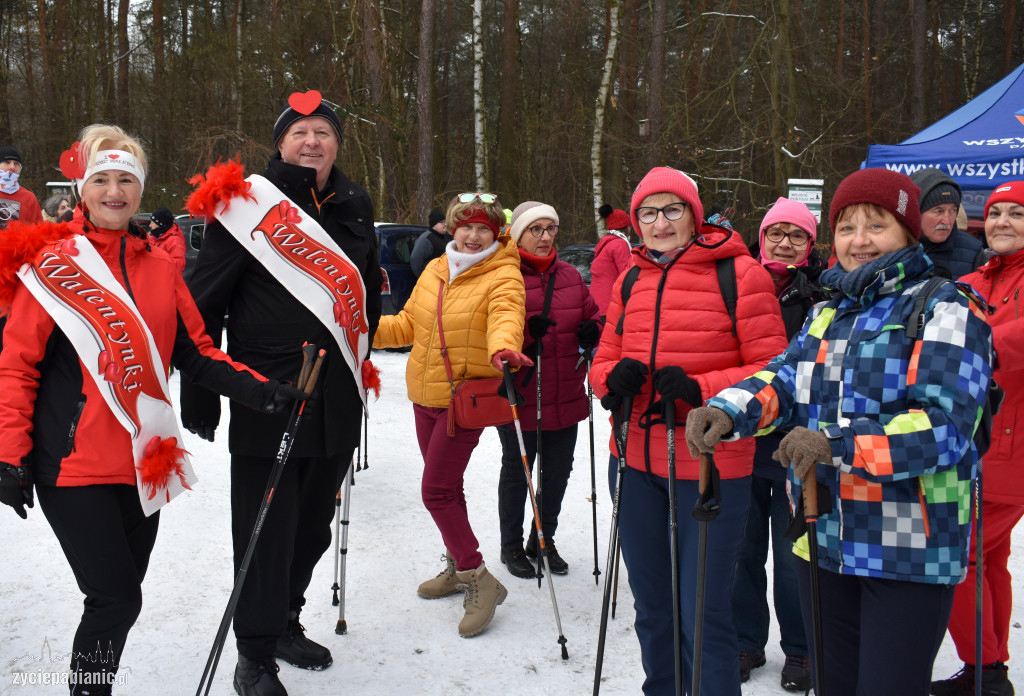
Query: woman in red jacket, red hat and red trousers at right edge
pixel 1000 282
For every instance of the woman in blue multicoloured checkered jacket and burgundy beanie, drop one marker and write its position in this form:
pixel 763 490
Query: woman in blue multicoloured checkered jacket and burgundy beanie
pixel 887 422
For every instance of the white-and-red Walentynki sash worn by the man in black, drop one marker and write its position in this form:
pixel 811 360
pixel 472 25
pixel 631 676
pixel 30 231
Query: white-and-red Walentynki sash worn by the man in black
pixel 307 262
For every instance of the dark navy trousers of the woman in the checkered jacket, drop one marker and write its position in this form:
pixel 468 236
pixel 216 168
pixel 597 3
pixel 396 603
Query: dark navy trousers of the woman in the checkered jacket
pixel 880 636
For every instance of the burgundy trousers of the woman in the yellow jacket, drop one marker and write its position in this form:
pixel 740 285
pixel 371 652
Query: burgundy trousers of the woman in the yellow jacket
pixel 445 462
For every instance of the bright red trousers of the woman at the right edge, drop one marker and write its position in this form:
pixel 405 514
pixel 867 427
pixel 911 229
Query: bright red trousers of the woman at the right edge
pixel 998 521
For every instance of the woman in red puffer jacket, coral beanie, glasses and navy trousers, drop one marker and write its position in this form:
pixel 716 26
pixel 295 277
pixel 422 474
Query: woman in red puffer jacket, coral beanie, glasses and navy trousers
pixel 675 340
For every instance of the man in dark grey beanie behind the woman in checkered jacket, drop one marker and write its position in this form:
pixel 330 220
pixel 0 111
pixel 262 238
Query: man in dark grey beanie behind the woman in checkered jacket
pixel 954 252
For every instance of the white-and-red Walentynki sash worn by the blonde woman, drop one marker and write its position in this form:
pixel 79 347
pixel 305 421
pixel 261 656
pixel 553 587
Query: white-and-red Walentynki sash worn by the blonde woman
pixel 76 288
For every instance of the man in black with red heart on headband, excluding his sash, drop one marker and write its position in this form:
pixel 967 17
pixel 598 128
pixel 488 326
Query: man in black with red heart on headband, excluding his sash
pixel 267 327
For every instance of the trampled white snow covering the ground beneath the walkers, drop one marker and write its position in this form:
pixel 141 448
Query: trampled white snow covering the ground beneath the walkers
pixel 397 642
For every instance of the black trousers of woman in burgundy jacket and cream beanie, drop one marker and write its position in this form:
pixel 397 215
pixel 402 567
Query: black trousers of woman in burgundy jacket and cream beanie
pixel 559 448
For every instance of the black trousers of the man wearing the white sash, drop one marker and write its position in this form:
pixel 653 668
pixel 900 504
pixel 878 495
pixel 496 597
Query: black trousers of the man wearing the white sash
pixel 295 535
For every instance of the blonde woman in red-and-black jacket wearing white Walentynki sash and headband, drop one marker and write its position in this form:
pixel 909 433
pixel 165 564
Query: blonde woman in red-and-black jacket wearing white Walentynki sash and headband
pixel 86 420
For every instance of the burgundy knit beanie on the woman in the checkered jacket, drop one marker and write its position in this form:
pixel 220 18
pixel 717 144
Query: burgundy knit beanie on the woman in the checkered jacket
pixel 887 190
